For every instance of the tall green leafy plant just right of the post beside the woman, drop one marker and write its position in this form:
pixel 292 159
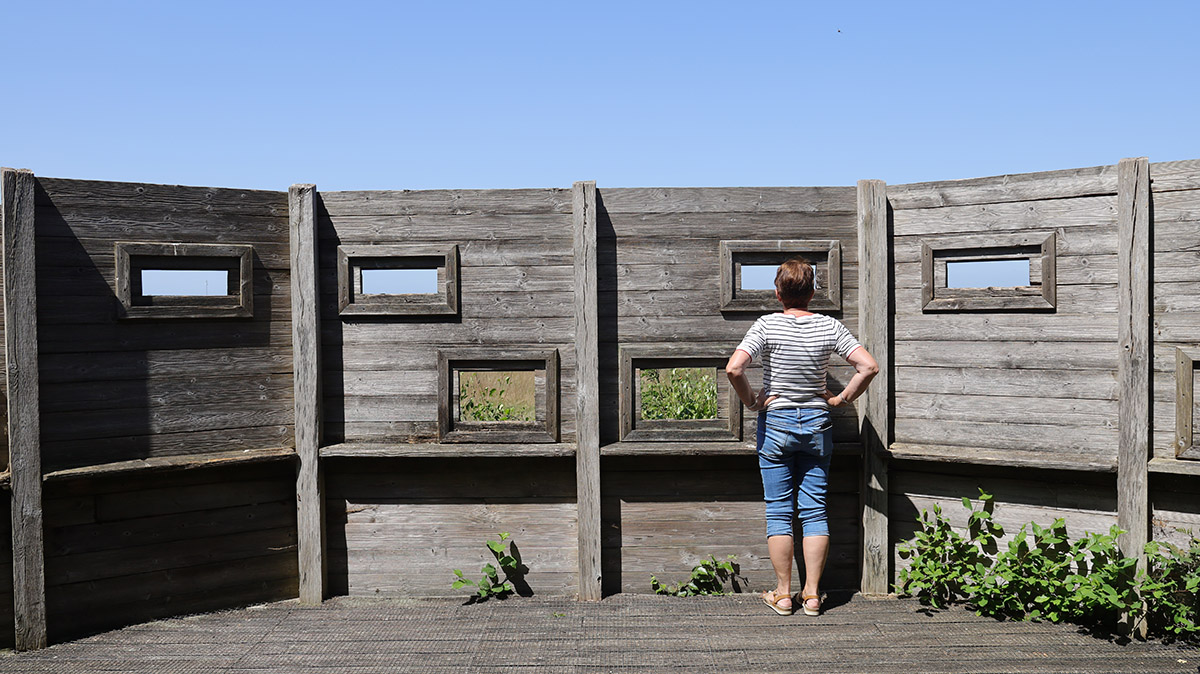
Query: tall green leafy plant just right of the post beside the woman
pixel 944 563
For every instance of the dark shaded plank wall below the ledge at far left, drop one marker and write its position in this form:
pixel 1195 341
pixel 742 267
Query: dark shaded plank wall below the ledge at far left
pixel 124 550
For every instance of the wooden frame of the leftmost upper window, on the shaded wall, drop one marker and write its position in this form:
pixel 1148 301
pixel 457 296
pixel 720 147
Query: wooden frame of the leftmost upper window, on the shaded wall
pixel 133 257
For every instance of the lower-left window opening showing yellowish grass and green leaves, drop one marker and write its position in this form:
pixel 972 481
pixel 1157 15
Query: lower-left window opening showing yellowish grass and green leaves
pixel 499 396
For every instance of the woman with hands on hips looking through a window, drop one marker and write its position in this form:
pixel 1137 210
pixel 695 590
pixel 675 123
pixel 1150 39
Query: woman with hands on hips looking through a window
pixel 795 428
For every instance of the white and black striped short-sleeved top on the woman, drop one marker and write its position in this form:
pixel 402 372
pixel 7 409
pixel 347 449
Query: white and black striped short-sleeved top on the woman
pixel 796 354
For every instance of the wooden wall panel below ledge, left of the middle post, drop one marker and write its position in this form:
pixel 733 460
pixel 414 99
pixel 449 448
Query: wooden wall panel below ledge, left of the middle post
pixel 400 527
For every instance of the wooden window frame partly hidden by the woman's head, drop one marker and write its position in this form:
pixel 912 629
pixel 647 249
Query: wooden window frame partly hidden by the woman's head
pixel 734 299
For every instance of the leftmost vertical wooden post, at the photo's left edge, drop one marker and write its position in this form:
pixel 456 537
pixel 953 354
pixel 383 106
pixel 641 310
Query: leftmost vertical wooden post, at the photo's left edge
pixel 25 430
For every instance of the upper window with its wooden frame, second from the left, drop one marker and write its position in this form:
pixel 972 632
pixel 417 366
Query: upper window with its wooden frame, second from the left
pixel 398 280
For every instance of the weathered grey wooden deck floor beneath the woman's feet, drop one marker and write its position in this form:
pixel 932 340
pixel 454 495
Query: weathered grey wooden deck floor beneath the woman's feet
pixel 628 634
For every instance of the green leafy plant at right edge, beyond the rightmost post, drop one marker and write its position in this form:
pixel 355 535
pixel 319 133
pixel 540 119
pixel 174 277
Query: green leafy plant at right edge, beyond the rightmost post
pixel 1171 586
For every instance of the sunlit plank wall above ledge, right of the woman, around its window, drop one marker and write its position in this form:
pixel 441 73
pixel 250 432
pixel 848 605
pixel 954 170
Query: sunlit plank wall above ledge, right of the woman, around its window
pixel 1021 383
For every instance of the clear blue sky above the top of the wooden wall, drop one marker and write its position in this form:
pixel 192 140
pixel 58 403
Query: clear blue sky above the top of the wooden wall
pixel 421 95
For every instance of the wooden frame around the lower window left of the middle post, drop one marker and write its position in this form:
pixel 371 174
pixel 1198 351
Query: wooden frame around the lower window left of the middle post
pixel 497 360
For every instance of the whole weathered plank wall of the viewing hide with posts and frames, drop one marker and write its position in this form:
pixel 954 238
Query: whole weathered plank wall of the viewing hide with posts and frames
pixel 302 437
